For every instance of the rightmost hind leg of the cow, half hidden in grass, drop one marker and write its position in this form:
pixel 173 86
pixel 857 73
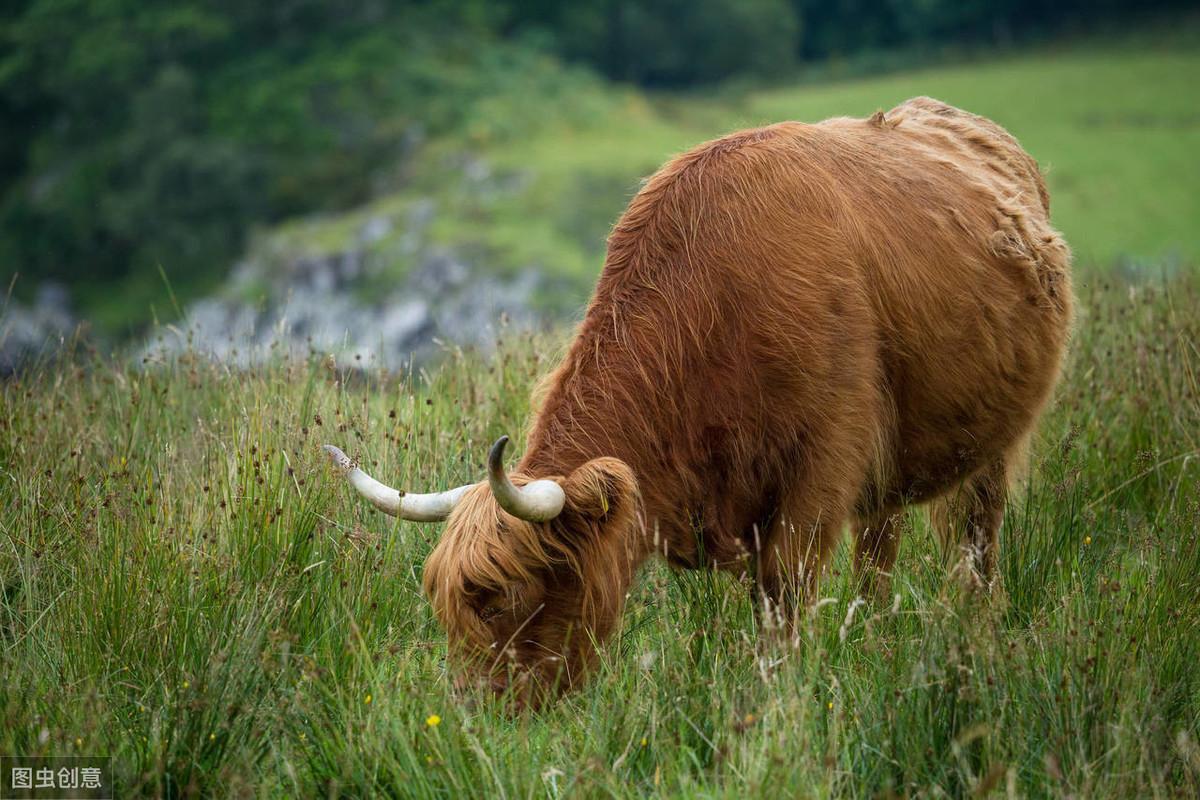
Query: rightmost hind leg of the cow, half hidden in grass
pixel 969 519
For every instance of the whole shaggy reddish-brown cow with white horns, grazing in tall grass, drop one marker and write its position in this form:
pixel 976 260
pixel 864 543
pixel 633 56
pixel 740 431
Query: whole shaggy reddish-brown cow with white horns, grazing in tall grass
pixel 797 327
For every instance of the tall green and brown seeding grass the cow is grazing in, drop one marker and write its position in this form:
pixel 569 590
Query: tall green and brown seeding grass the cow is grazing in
pixel 187 587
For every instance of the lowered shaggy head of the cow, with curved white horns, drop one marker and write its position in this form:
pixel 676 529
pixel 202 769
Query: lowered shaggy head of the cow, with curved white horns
pixel 530 575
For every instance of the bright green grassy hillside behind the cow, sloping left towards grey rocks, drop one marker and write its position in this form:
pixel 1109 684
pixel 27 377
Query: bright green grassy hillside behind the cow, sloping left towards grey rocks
pixel 1114 122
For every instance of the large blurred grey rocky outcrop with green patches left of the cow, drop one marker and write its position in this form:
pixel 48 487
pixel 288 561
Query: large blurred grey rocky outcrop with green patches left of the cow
pixel 352 302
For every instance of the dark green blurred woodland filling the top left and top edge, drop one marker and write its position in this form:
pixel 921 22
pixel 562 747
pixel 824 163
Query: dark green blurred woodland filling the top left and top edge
pixel 146 136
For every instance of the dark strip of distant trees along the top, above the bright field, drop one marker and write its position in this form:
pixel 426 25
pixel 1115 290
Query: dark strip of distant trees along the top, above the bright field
pixel 688 43
